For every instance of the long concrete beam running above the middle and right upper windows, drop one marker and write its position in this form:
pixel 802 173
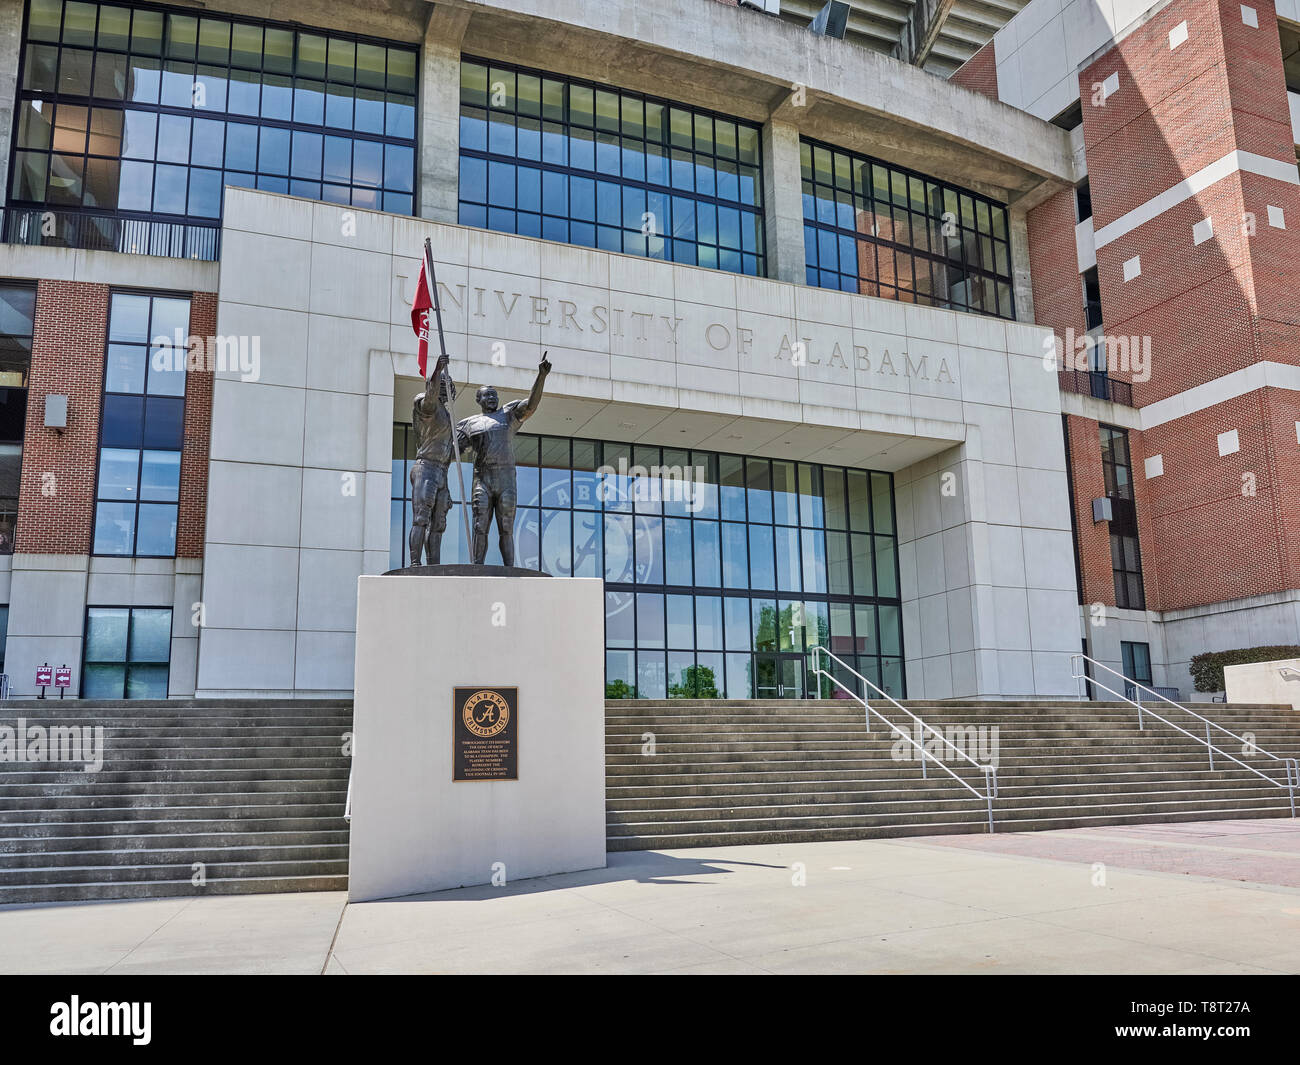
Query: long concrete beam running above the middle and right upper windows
pixel 738 63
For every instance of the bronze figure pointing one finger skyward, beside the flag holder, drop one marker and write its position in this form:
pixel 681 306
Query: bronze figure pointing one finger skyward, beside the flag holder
pixel 492 435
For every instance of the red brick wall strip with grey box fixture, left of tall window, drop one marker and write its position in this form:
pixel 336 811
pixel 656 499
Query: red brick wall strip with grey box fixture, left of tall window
pixel 57 497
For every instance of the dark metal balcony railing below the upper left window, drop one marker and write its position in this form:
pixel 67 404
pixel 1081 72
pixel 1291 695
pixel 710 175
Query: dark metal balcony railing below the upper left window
pixel 101 232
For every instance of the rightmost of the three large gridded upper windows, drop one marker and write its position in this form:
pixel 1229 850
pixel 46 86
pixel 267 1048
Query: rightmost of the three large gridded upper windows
pixel 903 236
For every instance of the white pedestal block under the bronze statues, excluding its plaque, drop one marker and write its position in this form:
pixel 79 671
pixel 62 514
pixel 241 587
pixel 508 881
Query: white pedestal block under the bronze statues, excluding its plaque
pixel 418 638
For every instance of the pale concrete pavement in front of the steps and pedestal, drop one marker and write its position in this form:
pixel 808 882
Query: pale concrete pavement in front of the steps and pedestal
pixel 1206 898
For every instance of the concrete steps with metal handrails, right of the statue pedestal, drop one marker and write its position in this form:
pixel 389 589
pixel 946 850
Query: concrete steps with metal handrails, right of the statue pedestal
pixel 734 773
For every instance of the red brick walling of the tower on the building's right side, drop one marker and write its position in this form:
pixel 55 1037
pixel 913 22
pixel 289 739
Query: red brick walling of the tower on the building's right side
pixel 1208 309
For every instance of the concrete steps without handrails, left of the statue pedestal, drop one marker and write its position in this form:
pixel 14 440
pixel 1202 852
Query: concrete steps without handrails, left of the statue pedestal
pixel 252 790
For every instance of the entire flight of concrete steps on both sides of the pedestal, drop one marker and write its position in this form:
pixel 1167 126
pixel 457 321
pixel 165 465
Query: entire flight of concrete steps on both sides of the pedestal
pixel 254 790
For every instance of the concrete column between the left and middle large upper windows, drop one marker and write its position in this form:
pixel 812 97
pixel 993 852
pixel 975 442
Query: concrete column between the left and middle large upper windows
pixel 440 115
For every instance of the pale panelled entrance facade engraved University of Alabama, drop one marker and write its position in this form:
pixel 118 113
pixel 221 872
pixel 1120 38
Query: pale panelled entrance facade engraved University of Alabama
pixel 695 360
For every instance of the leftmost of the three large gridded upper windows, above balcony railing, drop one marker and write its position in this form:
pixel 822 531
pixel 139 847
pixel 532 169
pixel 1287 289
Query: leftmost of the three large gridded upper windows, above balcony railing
pixel 180 97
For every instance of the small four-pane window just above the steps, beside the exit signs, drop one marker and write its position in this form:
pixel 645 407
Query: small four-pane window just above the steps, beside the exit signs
pixel 127 653
